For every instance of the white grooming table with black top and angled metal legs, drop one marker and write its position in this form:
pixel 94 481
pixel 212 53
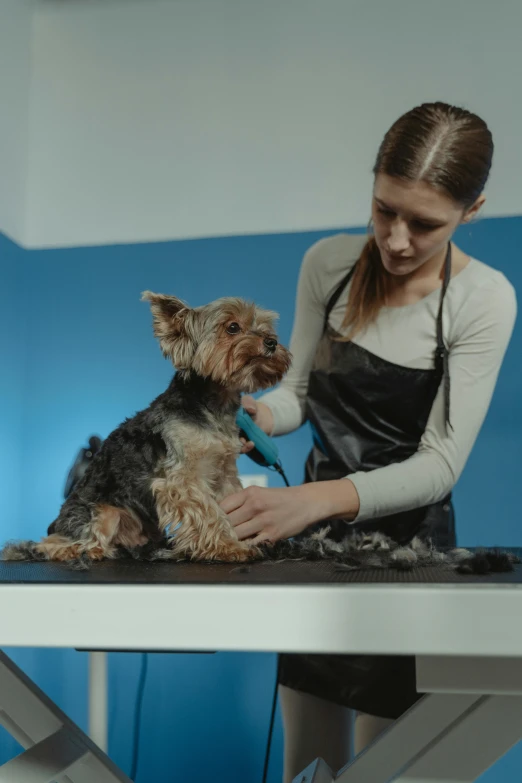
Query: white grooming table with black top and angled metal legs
pixel 465 631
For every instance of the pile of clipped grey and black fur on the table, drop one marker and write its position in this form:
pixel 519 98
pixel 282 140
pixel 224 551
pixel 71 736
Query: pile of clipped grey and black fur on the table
pixel 377 551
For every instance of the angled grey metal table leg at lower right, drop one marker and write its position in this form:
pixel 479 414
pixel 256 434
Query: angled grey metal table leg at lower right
pixel 470 717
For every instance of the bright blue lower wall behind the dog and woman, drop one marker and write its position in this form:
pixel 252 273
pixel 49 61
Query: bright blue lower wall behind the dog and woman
pixel 78 356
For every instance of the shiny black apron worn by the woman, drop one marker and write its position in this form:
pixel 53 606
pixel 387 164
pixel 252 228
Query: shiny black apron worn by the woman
pixel 365 413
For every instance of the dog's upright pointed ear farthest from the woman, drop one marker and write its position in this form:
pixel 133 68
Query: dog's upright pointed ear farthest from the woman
pixel 172 322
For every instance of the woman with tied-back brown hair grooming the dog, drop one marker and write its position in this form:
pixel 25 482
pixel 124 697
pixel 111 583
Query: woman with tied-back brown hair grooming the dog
pixel 397 344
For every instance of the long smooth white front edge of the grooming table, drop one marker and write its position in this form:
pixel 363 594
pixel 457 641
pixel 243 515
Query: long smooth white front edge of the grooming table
pixel 416 619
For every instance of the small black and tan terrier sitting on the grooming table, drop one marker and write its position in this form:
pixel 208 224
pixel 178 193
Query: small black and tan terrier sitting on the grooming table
pixel 166 469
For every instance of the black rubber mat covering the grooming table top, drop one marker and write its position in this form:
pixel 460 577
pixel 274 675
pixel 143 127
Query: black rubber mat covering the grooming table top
pixel 284 573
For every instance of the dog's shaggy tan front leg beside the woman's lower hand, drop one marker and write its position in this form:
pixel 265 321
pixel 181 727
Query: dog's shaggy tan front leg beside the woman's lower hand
pixel 199 527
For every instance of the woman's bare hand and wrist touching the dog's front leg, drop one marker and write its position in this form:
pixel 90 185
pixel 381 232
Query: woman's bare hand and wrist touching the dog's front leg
pixel 271 514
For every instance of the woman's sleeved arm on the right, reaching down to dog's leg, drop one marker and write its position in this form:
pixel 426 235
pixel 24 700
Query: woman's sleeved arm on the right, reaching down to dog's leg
pixel 426 477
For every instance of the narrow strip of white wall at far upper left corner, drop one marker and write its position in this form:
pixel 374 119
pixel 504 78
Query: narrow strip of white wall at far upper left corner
pixel 15 75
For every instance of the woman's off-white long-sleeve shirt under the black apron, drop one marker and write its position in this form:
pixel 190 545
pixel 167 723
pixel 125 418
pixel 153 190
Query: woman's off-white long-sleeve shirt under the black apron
pixel 478 317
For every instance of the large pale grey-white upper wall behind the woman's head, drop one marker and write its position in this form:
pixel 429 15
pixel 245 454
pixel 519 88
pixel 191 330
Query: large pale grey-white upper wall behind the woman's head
pixel 157 120
